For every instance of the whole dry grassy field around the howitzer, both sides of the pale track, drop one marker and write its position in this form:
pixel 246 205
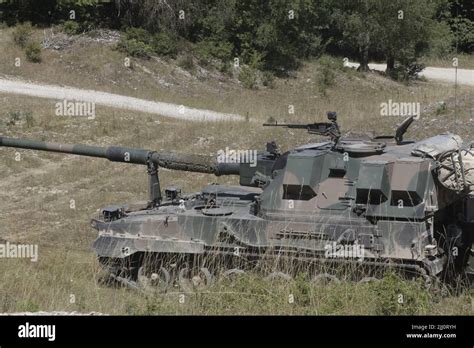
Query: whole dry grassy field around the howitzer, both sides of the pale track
pixel 35 192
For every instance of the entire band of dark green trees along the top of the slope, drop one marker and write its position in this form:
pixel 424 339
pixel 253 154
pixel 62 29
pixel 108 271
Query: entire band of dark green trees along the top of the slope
pixel 274 34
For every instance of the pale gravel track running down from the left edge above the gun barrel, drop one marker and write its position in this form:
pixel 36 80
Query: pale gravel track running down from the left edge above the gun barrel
pixel 112 100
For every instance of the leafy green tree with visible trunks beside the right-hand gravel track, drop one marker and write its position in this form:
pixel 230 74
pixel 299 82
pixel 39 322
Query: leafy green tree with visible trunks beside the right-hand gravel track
pixel 397 30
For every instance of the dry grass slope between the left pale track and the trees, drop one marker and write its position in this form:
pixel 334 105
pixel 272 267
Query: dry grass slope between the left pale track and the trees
pixel 357 99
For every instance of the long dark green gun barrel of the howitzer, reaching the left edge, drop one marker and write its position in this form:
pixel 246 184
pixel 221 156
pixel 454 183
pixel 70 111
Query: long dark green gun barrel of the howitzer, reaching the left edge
pixel 191 163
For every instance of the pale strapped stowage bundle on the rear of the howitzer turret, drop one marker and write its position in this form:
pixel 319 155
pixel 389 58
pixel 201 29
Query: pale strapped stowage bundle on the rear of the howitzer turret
pixel 457 169
